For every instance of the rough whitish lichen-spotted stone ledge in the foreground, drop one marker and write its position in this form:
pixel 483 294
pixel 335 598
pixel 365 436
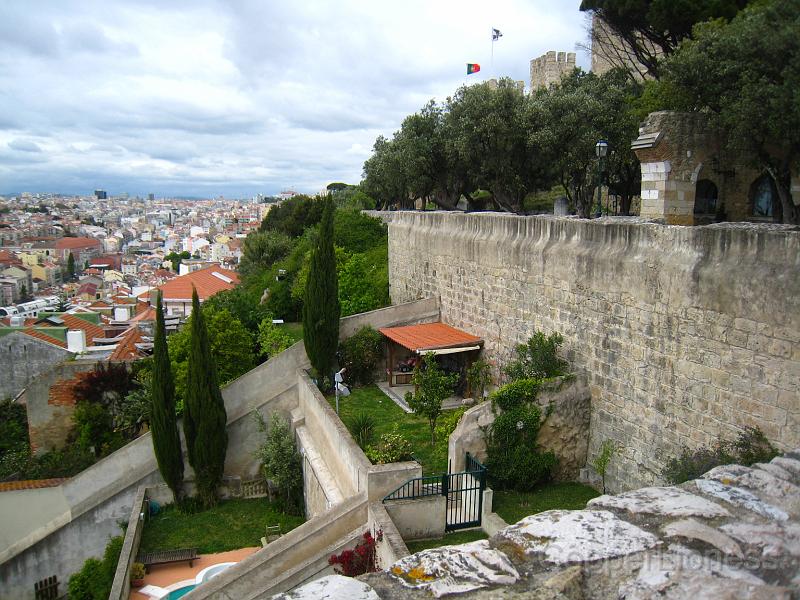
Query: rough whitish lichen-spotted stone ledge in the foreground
pixel 732 534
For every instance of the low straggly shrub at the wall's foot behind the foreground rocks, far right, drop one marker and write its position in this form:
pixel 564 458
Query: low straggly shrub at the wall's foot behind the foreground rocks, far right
pixel 750 447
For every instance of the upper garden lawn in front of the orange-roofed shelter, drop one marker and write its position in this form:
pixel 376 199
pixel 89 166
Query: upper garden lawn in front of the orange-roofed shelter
pixel 372 401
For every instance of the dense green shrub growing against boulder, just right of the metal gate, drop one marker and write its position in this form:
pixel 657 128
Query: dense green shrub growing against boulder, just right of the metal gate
pixel 513 459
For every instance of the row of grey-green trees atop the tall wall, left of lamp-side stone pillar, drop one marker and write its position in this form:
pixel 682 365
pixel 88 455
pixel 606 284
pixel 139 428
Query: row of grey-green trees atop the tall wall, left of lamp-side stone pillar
pixel 493 146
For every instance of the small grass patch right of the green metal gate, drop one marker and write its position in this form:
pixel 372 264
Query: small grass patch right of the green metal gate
pixel 513 506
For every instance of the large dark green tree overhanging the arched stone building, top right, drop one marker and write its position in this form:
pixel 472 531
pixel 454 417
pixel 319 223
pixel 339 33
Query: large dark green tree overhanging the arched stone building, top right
pixel 745 75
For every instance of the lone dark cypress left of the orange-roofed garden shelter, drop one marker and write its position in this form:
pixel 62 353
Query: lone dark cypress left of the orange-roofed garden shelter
pixel 321 308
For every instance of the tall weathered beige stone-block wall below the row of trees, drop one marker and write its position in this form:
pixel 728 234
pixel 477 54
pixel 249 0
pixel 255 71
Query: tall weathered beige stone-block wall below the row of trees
pixel 684 334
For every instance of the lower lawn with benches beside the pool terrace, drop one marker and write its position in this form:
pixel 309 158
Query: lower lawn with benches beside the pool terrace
pixel 231 525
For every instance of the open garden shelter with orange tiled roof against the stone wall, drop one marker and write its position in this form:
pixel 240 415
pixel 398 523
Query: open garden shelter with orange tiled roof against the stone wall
pixel 455 349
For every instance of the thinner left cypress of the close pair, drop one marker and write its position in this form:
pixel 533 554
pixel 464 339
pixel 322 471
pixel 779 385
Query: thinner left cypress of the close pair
pixel 163 422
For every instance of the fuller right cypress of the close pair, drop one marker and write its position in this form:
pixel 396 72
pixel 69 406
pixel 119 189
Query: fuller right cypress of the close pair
pixel 204 412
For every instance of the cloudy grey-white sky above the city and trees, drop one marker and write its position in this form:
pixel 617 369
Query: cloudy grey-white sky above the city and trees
pixel 239 97
